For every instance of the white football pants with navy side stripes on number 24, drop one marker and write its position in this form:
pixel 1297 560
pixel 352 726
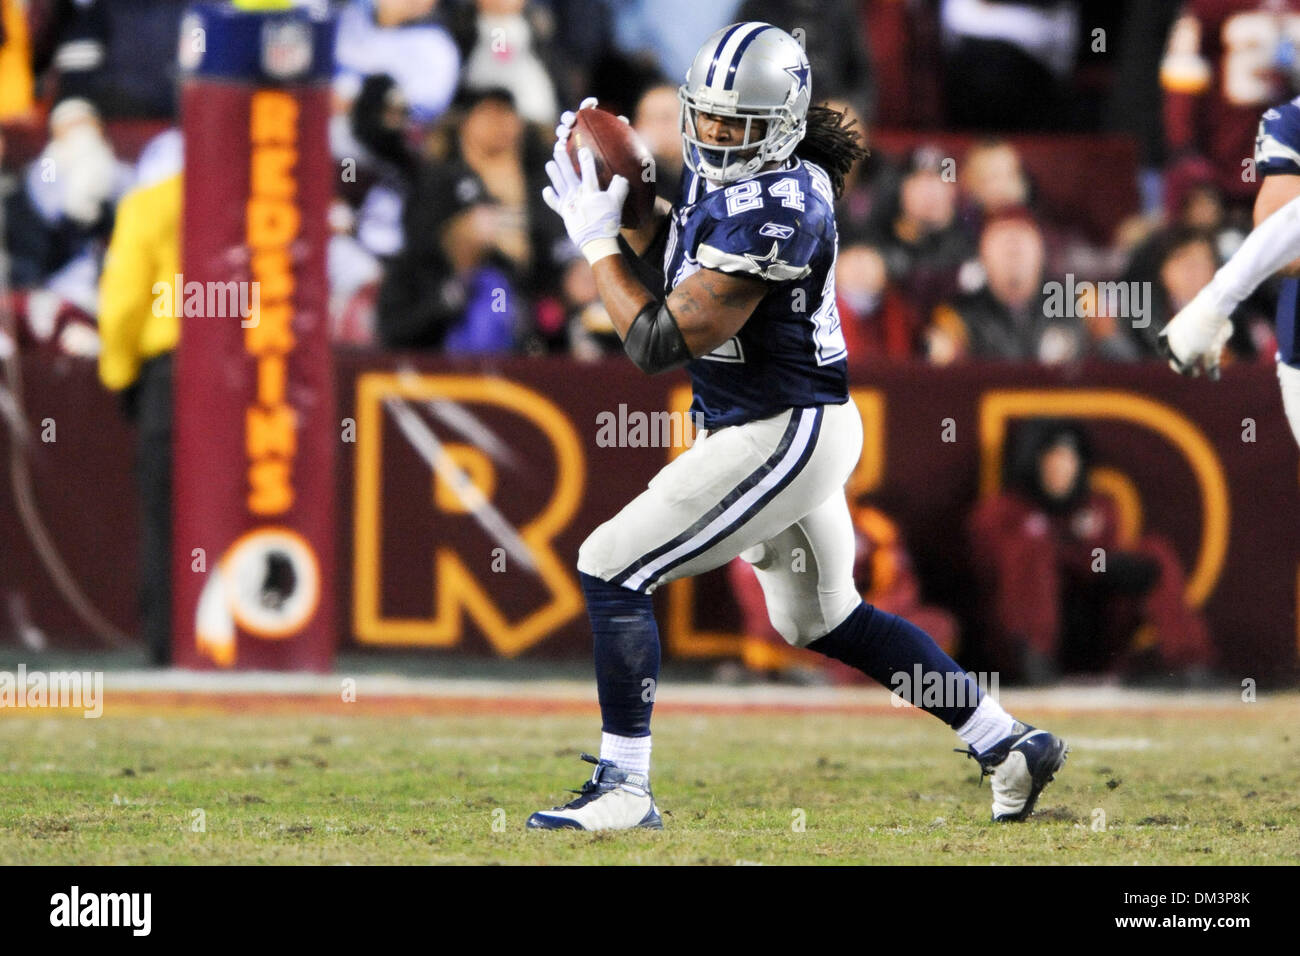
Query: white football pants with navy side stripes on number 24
pixel 770 492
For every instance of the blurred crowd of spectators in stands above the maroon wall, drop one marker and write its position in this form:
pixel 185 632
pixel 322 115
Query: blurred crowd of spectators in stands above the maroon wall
pixel 963 237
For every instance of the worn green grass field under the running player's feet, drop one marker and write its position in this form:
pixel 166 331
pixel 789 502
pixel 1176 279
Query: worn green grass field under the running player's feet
pixel 1146 786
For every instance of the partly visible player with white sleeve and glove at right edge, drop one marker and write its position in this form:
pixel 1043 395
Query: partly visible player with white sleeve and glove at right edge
pixel 1194 339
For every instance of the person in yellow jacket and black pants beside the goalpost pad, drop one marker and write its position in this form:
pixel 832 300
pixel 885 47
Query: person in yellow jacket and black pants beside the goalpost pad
pixel 140 331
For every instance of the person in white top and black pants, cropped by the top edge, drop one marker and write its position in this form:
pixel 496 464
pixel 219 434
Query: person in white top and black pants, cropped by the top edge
pixel 1007 64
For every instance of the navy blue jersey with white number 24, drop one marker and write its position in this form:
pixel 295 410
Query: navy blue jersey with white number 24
pixel 778 227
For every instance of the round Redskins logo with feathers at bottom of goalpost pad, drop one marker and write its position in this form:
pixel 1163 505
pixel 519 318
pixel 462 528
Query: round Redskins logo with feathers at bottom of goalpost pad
pixel 267 585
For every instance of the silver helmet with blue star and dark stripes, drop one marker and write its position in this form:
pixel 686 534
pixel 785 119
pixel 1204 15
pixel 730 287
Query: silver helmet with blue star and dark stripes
pixel 755 72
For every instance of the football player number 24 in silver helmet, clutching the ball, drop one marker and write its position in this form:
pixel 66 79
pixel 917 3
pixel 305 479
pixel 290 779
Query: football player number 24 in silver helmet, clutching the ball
pixel 747 305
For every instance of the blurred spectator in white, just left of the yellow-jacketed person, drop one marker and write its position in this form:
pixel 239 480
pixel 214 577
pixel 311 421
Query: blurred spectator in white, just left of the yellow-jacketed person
pixel 58 223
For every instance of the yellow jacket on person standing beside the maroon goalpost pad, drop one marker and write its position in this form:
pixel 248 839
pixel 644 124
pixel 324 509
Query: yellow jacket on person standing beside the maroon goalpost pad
pixel 137 317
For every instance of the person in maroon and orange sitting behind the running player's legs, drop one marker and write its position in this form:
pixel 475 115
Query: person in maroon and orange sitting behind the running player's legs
pixel 883 574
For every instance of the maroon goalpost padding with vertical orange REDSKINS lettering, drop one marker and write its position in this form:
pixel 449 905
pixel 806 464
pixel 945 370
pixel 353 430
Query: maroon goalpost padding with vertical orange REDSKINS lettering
pixel 219 377
